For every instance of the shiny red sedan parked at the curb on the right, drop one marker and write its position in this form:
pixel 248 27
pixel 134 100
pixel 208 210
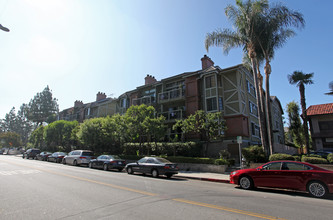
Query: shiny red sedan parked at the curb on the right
pixel 287 175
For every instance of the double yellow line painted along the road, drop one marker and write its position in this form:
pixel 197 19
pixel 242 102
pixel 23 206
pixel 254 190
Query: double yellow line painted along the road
pixel 222 208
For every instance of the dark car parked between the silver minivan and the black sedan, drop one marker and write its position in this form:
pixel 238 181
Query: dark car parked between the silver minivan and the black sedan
pixel 108 162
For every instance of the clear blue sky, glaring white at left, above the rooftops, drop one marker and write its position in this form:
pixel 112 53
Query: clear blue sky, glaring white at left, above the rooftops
pixel 82 47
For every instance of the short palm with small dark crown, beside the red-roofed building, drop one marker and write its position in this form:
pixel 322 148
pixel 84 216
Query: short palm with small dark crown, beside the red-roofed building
pixel 301 79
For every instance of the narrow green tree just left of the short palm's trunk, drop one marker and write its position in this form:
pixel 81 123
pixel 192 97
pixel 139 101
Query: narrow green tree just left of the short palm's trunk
pixel 295 131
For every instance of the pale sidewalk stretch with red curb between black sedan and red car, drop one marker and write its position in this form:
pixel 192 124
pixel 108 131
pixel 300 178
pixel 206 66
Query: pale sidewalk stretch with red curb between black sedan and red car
pixel 213 177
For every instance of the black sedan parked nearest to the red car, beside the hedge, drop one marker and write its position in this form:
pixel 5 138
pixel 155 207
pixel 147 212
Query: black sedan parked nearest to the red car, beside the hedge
pixel 153 165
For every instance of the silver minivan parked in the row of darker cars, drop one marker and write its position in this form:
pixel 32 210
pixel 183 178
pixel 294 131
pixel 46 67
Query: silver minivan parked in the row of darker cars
pixel 78 157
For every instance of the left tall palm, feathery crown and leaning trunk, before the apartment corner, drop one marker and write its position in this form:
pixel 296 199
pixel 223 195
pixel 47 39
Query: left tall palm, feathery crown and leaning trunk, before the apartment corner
pixel 244 18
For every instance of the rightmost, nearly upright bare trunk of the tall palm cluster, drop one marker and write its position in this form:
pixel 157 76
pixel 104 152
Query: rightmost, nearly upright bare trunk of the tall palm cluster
pixel 268 107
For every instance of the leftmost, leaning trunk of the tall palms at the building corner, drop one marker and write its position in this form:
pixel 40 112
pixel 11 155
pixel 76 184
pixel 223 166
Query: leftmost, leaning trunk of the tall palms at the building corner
pixel 260 109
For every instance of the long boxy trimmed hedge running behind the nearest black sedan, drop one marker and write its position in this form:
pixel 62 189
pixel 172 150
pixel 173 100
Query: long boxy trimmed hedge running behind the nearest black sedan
pixel 187 149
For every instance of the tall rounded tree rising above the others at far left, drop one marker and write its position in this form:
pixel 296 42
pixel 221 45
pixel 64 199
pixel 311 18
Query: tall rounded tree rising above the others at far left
pixel 42 108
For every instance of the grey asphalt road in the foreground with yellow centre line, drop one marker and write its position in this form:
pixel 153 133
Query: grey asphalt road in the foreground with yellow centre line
pixel 32 189
